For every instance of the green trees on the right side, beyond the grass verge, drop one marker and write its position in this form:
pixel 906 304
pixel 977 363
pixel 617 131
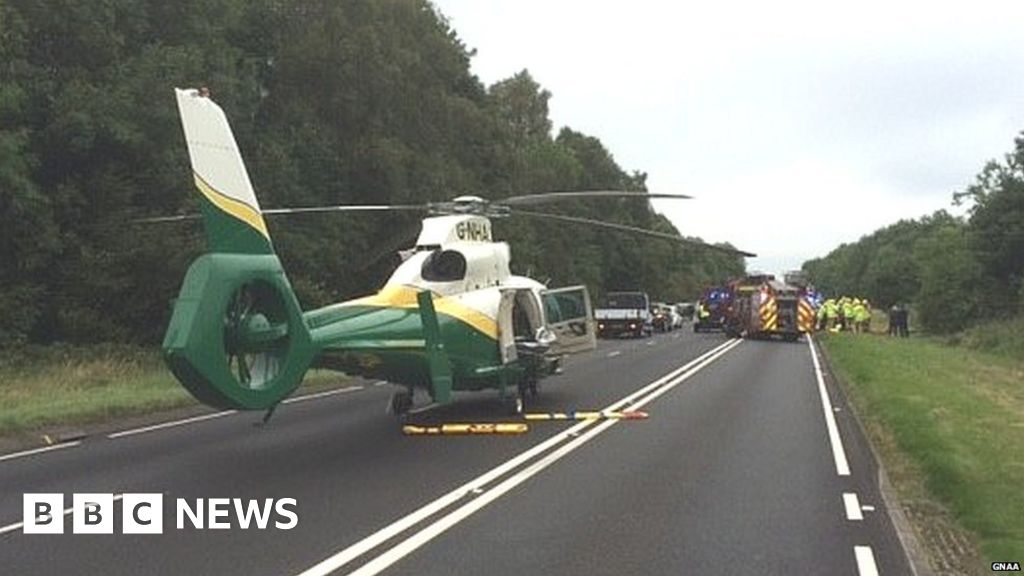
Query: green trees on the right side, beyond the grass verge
pixel 957 272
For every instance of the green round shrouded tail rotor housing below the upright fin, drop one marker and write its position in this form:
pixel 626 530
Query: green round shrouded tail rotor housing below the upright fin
pixel 237 339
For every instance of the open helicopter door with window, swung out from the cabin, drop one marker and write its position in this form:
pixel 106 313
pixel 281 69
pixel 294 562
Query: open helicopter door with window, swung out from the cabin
pixel 570 316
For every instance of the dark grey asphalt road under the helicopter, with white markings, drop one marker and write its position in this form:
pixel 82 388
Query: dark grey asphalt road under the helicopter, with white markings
pixel 735 473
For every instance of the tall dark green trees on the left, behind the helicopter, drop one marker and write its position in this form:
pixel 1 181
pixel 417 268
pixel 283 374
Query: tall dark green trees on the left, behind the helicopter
pixel 355 102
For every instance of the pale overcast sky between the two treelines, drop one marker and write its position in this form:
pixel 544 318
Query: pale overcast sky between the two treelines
pixel 798 126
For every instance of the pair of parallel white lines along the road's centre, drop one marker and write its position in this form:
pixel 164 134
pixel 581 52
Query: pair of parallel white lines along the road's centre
pixel 529 464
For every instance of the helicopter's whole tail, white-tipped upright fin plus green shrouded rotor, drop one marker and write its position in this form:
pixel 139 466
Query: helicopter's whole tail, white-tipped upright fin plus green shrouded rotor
pixel 237 339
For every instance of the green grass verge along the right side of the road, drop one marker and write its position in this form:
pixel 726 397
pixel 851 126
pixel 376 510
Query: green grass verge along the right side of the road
pixel 949 420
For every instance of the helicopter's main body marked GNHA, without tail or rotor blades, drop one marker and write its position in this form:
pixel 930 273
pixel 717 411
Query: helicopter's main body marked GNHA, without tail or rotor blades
pixel 488 318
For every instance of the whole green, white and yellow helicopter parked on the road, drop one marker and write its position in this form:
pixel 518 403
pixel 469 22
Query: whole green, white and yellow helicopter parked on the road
pixel 451 318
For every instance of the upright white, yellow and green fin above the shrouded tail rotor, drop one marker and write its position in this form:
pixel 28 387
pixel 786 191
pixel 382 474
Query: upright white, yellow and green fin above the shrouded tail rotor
pixel 232 216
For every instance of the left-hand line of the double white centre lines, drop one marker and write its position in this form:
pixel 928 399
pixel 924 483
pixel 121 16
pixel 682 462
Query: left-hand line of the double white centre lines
pixel 475 486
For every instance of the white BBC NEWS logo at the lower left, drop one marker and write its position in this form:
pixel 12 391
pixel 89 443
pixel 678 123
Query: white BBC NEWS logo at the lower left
pixel 144 514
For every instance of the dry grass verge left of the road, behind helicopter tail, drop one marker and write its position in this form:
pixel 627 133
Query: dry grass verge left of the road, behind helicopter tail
pixel 58 387
